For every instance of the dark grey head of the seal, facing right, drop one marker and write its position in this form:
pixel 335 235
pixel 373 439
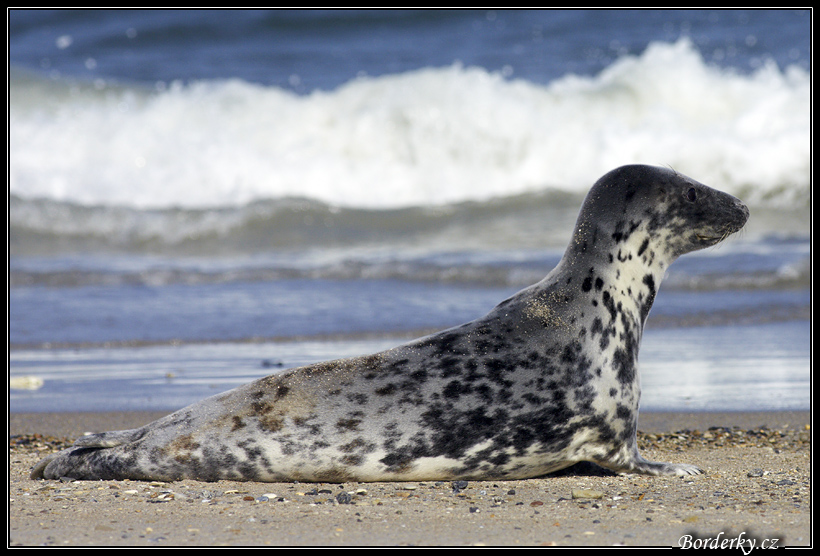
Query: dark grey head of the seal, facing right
pixel 658 208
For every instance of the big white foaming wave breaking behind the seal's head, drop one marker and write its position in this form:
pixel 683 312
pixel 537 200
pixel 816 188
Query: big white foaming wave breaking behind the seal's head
pixel 426 138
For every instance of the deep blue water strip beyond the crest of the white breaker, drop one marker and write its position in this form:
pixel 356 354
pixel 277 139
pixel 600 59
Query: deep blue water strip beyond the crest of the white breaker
pixel 304 50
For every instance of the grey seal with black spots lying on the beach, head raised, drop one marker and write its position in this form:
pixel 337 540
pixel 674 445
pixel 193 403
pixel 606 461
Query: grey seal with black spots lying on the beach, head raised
pixel 546 379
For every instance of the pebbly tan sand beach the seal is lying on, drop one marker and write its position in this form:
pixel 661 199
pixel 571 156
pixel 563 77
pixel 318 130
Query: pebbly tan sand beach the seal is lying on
pixel 756 487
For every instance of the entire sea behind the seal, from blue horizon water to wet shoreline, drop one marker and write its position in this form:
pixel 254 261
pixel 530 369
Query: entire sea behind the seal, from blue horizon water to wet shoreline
pixel 200 198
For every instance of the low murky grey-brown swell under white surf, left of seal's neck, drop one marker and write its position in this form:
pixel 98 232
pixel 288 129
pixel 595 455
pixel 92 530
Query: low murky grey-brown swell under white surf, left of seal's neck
pixel 44 226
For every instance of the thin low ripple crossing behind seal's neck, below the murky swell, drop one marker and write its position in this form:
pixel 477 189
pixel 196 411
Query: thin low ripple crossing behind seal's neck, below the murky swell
pixel 790 276
